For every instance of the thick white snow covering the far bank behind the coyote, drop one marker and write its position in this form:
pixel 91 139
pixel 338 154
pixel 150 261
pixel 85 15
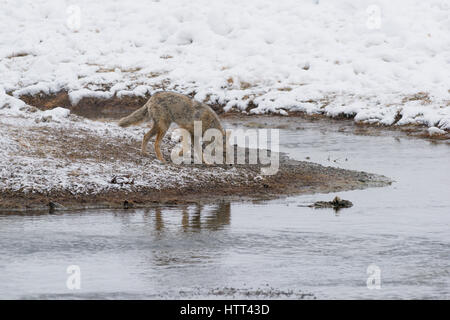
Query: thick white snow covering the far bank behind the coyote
pixel 388 64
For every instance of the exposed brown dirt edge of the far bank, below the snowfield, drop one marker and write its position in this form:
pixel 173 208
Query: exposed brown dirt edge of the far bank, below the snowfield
pixel 116 107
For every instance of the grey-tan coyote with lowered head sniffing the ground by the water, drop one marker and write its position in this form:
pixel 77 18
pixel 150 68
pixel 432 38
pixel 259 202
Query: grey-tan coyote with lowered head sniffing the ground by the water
pixel 167 107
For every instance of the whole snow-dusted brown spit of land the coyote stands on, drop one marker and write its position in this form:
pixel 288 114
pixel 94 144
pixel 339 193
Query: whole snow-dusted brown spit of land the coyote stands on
pixel 54 160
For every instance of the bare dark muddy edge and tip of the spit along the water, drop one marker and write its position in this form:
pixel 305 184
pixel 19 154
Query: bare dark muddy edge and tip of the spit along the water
pixel 294 177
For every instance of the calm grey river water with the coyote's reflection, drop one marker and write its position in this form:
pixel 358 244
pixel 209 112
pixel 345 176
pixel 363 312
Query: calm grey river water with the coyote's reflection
pixel 272 249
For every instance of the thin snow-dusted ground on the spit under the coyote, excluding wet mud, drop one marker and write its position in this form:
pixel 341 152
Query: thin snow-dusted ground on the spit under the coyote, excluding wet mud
pixel 52 151
